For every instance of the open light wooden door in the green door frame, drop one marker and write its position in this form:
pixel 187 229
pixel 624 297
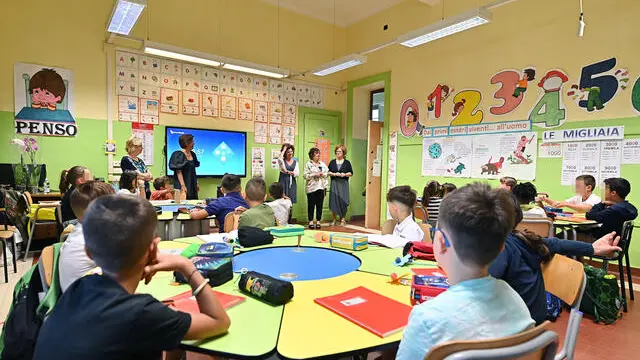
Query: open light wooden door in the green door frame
pixel 374 173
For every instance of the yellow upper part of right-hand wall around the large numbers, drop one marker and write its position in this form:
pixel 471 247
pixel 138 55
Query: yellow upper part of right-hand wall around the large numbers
pixel 540 33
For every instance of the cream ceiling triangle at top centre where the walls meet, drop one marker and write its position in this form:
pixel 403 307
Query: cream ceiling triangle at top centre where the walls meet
pixel 347 12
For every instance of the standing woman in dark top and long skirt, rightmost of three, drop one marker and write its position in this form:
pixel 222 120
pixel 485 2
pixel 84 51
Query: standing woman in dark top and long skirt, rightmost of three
pixel 340 171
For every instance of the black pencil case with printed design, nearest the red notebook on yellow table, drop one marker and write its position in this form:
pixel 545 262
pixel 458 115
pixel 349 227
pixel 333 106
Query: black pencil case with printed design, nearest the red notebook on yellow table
pixel 266 288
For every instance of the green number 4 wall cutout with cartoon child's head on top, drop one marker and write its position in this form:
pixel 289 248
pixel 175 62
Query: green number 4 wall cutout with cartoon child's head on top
pixel 549 111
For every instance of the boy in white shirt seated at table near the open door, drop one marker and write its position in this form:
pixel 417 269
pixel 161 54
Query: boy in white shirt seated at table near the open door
pixel 401 200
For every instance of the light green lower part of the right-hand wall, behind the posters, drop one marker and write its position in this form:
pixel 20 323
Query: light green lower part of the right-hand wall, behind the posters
pixel 548 171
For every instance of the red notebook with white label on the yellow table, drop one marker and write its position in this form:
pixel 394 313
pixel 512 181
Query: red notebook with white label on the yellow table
pixel 364 307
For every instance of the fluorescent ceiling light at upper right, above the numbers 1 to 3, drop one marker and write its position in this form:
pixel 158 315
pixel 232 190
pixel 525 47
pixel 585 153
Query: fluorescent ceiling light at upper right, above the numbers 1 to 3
pixel 445 27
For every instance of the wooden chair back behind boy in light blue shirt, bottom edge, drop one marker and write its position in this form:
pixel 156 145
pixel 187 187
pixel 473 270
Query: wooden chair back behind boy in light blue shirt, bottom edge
pixel 536 343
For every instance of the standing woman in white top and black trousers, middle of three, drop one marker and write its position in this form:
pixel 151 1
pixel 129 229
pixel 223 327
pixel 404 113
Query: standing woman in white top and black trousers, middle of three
pixel 315 173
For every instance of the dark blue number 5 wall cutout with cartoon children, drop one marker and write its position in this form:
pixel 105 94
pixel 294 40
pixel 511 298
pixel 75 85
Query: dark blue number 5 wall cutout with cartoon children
pixel 598 84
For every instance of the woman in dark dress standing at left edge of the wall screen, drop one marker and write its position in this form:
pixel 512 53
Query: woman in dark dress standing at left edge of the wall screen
pixel 184 163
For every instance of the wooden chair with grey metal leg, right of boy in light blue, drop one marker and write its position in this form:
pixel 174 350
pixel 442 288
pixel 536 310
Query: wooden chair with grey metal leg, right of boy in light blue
pixel 565 278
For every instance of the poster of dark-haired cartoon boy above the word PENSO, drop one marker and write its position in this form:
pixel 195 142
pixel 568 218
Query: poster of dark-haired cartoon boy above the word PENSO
pixel 44 100
